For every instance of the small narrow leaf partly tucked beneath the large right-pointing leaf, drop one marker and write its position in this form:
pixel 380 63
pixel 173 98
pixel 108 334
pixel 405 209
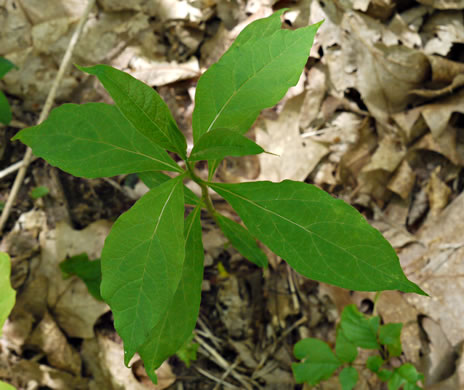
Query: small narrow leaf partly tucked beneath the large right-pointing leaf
pixel 242 240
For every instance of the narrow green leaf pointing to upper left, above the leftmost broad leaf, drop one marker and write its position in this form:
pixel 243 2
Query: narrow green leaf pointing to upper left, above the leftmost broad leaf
pixel 142 106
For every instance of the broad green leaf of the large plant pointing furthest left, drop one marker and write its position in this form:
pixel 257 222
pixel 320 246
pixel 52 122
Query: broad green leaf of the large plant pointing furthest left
pixel 94 140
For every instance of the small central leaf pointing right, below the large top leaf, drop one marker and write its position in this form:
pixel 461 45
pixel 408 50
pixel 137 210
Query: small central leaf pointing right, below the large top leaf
pixel 221 143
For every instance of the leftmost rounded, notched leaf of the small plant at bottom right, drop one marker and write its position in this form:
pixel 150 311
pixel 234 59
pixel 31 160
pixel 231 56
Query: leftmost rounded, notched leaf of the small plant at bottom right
pixel 319 361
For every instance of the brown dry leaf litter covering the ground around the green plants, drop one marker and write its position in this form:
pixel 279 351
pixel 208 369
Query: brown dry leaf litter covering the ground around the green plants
pixel 375 121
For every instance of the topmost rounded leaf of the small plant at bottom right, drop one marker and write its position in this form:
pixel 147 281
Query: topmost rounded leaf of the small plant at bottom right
pixel 358 329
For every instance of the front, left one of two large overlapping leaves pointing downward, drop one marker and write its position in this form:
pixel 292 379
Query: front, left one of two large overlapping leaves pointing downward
pixel 142 263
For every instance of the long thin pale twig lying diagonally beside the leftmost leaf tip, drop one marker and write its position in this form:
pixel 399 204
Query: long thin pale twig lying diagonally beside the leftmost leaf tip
pixel 45 110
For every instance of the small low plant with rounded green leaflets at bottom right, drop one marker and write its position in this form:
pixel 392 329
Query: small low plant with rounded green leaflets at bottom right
pixel 354 331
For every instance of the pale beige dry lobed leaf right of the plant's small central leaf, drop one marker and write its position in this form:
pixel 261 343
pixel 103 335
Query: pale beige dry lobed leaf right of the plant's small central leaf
pixel 296 157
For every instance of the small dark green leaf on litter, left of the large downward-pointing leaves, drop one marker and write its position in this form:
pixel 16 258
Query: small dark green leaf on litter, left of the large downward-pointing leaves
pixel 89 271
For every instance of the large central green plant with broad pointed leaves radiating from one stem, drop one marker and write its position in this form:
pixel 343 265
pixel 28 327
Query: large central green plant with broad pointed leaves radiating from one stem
pixel 152 261
